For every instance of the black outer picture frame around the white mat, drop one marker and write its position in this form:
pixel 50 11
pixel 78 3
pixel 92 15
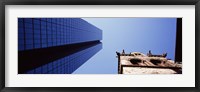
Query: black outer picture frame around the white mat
pixel 3 3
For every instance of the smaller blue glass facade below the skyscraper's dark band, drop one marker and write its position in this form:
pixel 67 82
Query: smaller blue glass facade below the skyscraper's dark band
pixel 68 64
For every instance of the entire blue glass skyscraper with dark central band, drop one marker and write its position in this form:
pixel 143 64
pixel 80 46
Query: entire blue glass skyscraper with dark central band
pixel 55 45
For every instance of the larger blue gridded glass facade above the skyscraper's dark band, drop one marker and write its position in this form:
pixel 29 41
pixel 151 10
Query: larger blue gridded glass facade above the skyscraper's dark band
pixel 36 33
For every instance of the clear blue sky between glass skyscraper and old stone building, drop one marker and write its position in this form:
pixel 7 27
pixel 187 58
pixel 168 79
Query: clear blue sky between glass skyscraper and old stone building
pixel 132 35
